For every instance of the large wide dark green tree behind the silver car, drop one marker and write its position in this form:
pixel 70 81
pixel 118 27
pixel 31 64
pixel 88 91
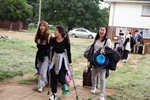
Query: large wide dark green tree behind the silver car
pixel 72 13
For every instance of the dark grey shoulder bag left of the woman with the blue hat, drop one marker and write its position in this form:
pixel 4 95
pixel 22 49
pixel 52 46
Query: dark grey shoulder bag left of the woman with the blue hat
pixel 89 51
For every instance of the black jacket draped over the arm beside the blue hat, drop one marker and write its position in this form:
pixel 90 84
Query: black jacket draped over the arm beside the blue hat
pixel 113 58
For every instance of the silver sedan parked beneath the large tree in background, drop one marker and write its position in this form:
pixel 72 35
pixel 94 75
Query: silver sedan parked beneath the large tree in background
pixel 81 32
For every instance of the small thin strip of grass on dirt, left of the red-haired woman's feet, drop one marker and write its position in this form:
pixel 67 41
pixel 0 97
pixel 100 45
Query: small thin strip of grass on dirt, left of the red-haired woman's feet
pixel 28 80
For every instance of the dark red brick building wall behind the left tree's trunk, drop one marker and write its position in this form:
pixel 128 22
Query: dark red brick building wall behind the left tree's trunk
pixel 16 25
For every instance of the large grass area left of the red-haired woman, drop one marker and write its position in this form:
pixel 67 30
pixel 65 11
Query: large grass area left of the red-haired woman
pixel 16 57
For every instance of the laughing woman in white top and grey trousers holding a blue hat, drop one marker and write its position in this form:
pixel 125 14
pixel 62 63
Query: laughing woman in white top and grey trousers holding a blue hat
pixel 100 40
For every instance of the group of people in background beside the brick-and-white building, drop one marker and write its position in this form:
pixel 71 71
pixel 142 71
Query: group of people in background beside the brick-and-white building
pixel 127 43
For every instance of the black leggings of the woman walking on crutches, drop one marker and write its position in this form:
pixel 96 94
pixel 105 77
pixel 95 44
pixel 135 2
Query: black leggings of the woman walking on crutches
pixel 60 77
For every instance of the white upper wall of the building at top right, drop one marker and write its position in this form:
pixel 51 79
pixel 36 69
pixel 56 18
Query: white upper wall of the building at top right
pixel 128 15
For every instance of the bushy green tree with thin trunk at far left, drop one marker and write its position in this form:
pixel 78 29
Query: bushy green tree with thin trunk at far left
pixel 14 10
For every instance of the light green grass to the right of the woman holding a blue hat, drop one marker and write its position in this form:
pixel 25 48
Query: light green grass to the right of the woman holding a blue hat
pixel 132 86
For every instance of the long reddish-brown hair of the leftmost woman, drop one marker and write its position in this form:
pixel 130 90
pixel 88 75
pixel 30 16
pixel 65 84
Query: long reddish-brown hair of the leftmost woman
pixel 45 34
